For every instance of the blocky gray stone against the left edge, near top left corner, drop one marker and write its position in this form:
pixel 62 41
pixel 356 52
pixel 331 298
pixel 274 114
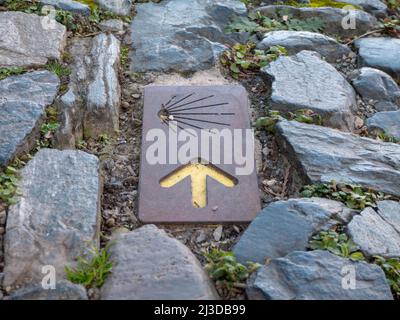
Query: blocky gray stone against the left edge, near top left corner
pixel 26 40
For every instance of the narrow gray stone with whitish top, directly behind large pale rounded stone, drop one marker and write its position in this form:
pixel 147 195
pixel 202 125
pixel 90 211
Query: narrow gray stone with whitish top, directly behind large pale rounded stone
pixel 296 41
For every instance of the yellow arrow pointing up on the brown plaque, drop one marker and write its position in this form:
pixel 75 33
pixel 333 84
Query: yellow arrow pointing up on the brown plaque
pixel 198 173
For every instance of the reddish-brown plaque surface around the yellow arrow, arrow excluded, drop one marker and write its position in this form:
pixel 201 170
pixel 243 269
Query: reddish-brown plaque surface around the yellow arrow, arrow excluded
pixel 228 108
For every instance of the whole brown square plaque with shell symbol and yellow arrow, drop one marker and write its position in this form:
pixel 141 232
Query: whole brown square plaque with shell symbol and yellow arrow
pixel 223 190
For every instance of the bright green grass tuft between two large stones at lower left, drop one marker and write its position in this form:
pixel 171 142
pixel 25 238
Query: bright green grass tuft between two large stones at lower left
pixel 92 268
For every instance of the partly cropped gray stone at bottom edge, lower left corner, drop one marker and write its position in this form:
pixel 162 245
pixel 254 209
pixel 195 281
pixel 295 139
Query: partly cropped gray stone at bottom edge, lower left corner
pixel 64 291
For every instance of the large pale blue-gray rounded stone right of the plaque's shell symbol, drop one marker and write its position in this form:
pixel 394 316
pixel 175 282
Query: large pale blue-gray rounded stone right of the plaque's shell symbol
pixel 304 81
